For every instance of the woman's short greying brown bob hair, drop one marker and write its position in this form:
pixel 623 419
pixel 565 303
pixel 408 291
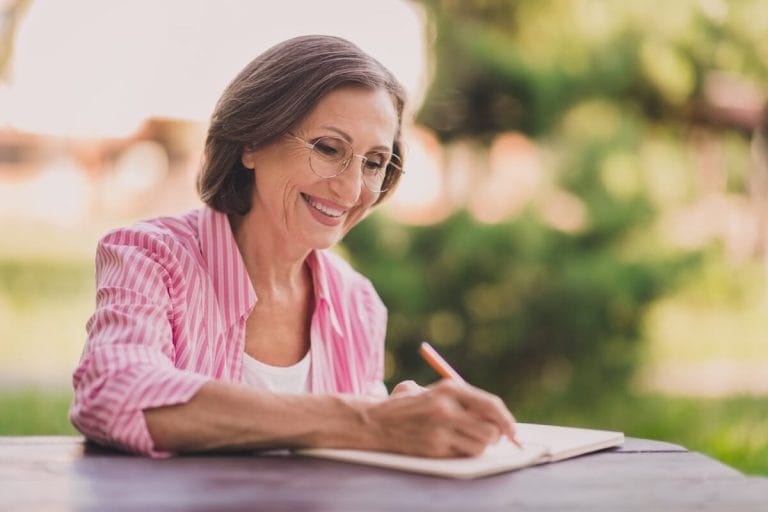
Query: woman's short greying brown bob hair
pixel 270 96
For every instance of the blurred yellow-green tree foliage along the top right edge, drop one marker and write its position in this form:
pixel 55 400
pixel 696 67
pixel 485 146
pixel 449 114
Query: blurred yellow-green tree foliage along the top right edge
pixel 519 65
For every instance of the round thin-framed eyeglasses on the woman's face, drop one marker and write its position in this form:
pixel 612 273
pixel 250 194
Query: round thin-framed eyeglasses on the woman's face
pixel 330 156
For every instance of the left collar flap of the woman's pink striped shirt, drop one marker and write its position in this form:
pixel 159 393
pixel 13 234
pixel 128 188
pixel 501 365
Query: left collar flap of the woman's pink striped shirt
pixel 234 291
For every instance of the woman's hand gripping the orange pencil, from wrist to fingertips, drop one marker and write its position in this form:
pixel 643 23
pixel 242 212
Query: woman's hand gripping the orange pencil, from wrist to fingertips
pixel 445 419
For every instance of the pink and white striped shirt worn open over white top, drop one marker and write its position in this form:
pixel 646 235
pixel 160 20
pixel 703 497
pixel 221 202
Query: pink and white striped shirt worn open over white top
pixel 172 299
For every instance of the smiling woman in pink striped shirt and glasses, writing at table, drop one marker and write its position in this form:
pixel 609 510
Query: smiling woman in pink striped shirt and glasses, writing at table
pixel 232 326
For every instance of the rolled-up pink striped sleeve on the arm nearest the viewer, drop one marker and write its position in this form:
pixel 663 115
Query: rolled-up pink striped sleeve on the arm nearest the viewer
pixel 128 361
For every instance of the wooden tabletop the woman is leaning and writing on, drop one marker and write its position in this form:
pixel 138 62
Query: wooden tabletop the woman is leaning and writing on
pixel 67 474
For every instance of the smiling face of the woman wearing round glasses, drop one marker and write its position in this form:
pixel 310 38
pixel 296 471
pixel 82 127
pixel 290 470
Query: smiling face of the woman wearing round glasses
pixel 297 206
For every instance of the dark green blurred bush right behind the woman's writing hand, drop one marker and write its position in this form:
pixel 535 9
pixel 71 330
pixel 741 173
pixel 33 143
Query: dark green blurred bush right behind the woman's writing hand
pixel 521 309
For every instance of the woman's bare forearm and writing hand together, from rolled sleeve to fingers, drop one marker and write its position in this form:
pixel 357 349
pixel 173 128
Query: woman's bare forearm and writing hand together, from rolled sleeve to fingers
pixel 445 420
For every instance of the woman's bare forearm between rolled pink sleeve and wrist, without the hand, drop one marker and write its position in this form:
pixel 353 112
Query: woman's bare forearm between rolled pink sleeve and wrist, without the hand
pixel 229 416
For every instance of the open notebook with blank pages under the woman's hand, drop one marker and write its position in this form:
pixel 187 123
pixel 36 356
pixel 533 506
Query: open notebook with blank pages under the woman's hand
pixel 540 444
